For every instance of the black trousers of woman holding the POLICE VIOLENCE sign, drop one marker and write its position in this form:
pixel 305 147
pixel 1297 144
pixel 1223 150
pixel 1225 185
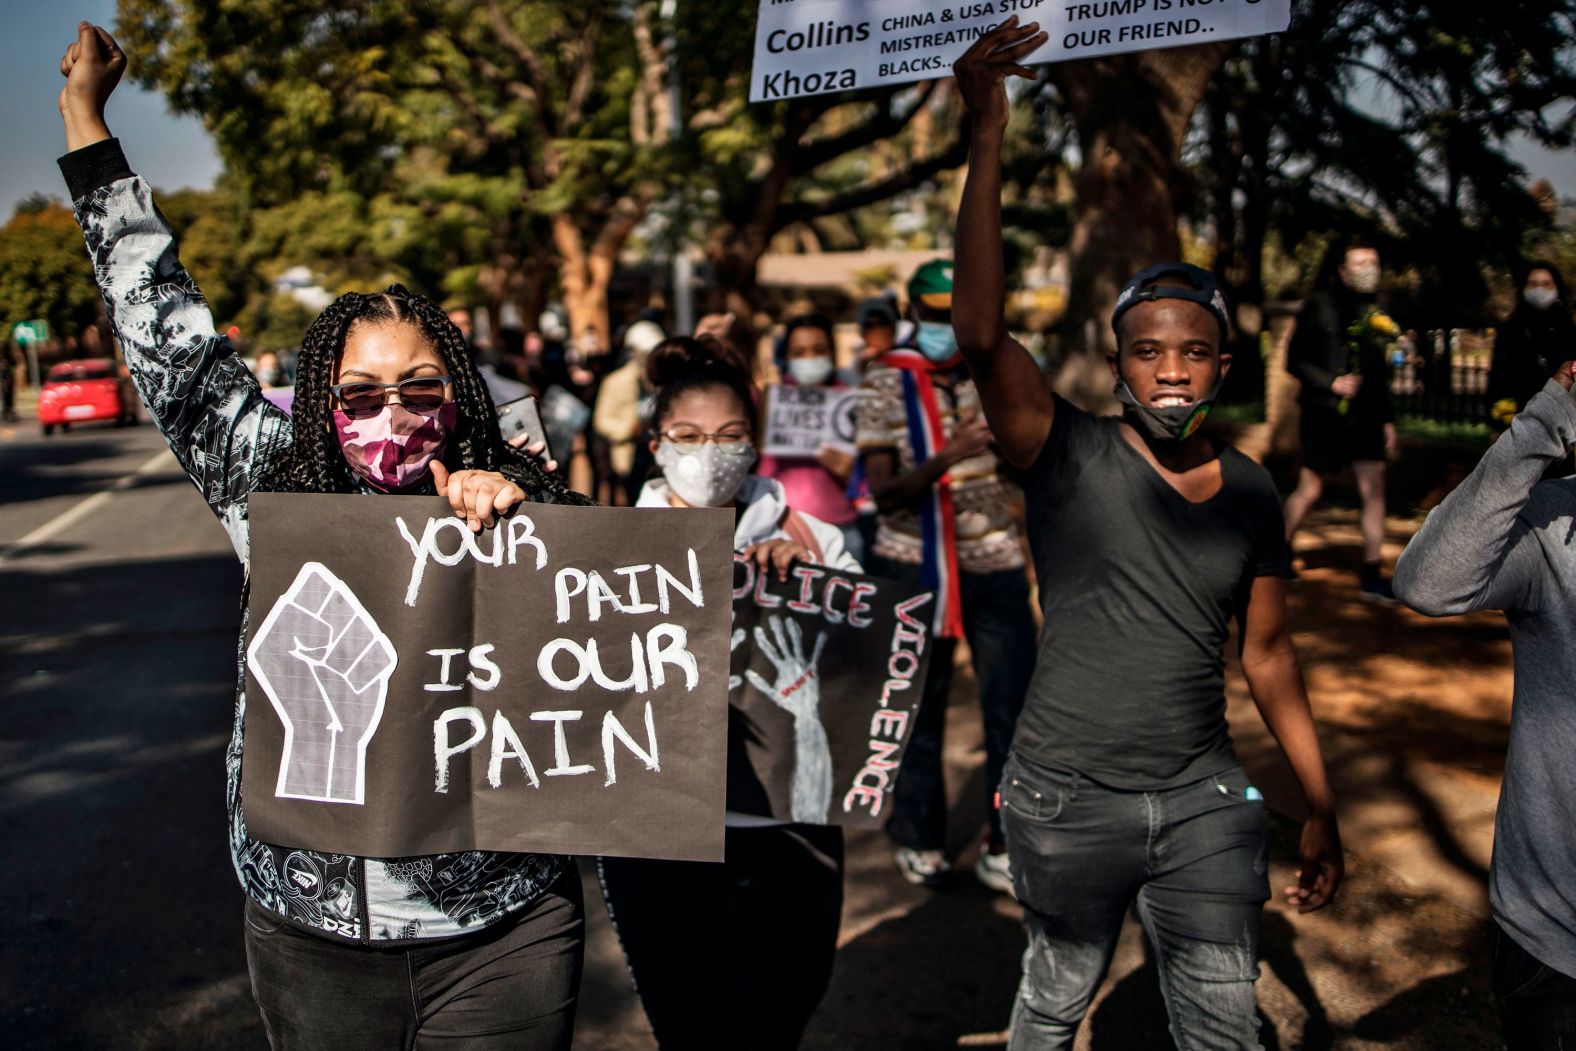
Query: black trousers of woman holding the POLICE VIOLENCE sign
pixel 732 957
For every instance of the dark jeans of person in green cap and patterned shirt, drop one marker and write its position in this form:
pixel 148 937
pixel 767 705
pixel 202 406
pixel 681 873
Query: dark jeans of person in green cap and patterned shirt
pixel 1000 626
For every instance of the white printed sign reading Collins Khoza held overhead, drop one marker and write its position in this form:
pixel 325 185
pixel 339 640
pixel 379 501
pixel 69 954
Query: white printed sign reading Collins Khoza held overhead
pixel 822 46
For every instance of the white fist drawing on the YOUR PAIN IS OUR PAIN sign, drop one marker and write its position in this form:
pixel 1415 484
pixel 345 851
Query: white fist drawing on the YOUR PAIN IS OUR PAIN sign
pixel 325 667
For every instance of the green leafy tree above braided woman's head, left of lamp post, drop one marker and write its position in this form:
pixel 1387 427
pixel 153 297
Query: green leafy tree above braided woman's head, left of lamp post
pixel 526 133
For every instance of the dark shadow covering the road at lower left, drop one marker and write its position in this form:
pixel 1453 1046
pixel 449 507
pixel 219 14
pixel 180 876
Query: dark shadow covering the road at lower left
pixel 122 913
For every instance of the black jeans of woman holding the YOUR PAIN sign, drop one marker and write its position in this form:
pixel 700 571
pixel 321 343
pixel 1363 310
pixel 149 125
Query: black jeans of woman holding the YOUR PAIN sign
pixel 511 986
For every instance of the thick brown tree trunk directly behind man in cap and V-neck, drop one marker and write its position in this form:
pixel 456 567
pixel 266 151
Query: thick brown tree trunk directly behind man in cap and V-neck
pixel 1131 114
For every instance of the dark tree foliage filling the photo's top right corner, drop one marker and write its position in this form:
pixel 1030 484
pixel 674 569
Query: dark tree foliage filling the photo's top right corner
pixel 1396 122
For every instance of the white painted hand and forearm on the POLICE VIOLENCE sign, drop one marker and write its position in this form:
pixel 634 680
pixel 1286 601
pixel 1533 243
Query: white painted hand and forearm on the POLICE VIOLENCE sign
pixel 798 691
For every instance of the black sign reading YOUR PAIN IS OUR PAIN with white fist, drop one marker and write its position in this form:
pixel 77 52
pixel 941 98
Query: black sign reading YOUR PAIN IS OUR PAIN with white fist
pixel 554 685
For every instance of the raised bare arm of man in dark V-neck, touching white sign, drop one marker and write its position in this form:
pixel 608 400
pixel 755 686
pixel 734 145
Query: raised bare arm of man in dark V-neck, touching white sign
pixel 1017 399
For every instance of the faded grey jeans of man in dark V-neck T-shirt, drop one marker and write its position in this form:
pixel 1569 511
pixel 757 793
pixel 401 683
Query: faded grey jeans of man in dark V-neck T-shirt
pixel 1195 861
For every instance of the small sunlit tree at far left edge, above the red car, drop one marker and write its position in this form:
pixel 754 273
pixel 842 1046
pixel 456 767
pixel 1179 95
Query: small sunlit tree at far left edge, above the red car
pixel 45 273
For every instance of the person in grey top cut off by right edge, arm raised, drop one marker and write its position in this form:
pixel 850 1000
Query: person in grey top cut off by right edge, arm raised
pixel 1504 541
